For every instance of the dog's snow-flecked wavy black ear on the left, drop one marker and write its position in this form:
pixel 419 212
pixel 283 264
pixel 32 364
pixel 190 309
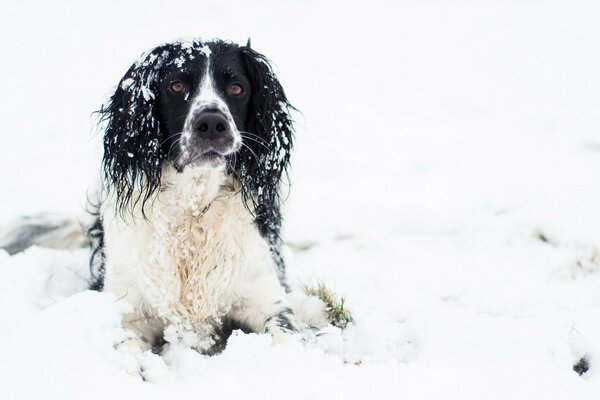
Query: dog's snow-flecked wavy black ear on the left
pixel 132 138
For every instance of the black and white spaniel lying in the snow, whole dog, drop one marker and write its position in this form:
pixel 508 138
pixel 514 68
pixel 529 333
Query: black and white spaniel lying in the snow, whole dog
pixel 197 138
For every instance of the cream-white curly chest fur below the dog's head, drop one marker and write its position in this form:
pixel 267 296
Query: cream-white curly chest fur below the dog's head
pixel 187 260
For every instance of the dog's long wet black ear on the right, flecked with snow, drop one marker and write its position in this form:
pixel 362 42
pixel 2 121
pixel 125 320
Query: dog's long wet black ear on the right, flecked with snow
pixel 267 155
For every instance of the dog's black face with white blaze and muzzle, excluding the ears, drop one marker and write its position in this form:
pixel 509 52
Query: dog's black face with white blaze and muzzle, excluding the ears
pixel 203 105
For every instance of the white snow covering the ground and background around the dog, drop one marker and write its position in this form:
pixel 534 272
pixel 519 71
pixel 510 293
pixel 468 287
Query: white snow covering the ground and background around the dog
pixel 439 142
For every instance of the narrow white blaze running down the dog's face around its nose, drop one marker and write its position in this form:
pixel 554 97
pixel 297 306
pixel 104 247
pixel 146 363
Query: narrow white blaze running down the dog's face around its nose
pixel 207 98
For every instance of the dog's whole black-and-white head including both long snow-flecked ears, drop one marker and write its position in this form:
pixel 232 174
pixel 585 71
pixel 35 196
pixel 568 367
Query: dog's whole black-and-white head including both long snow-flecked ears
pixel 197 103
